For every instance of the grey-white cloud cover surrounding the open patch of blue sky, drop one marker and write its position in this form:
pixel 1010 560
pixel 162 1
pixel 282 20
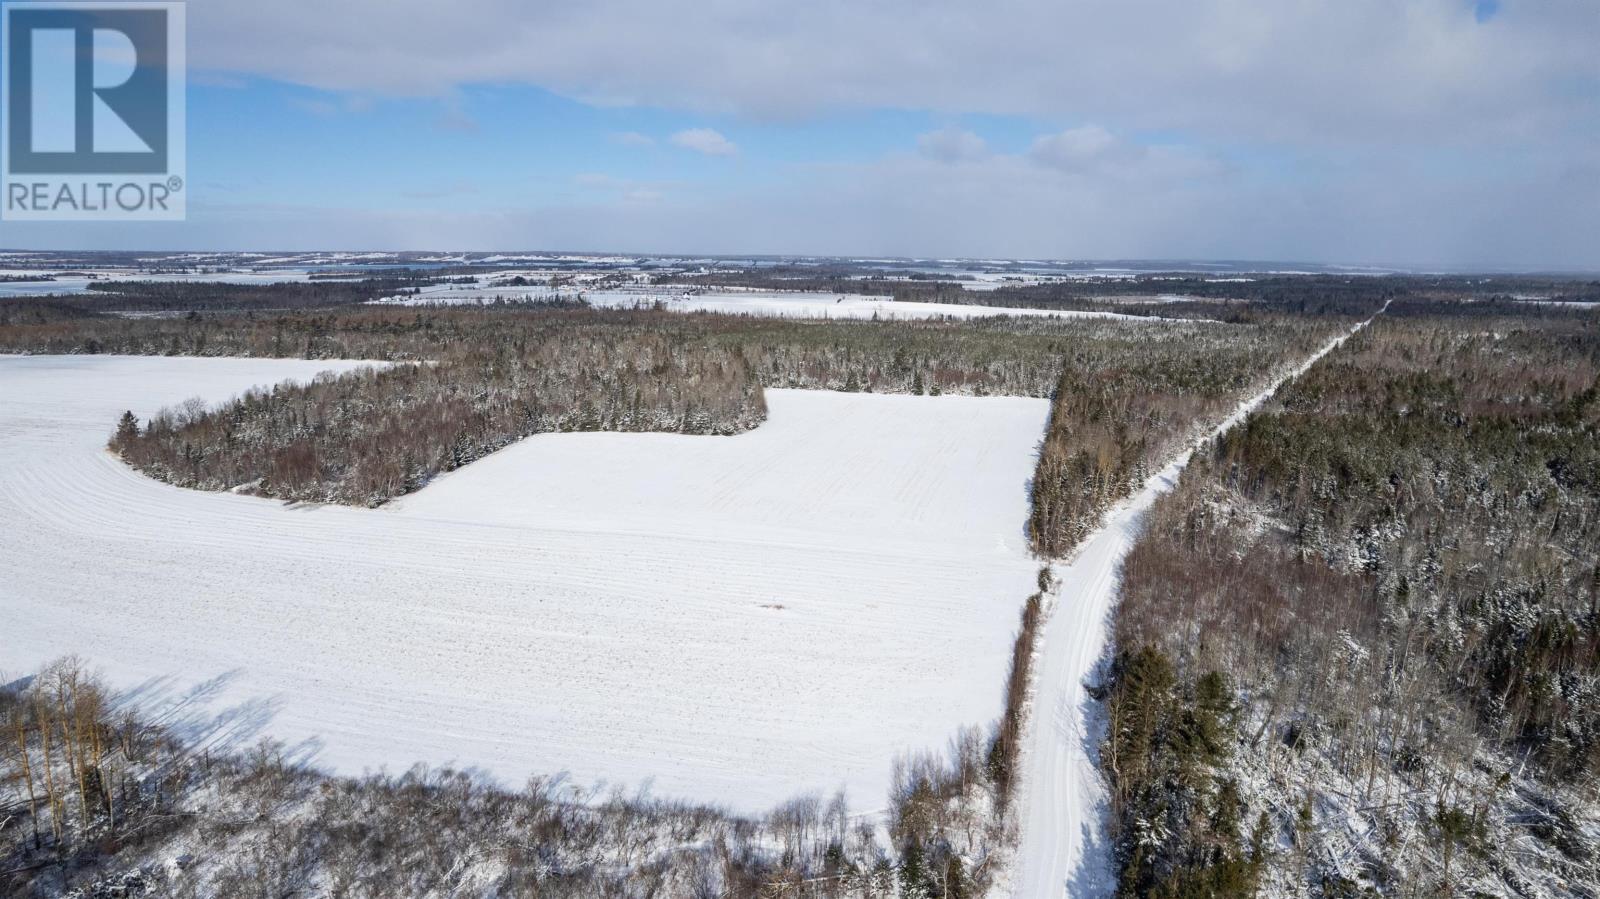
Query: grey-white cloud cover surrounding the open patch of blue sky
pixel 1361 130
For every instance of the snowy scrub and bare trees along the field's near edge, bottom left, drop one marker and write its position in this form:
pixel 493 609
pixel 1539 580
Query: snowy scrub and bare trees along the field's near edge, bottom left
pixel 100 799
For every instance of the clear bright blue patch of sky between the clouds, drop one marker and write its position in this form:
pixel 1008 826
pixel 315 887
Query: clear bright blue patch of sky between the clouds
pixel 510 146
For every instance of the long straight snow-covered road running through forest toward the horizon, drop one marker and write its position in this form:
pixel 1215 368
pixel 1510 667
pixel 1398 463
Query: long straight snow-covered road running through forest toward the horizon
pixel 1063 810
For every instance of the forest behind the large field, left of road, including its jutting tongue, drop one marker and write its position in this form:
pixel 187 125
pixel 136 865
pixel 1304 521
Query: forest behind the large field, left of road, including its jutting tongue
pixel 473 380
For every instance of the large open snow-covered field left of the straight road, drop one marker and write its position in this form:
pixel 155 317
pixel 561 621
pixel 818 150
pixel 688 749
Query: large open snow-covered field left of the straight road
pixel 737 620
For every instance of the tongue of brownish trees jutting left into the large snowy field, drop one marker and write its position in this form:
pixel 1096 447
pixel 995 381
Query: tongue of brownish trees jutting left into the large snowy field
pixel 370 436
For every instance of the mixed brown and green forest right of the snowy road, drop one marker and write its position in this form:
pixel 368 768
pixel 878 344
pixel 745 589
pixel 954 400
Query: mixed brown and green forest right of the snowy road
pixel 1359 645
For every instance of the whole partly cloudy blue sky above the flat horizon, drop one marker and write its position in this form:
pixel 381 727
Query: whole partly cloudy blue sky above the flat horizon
pixel 1367 132
